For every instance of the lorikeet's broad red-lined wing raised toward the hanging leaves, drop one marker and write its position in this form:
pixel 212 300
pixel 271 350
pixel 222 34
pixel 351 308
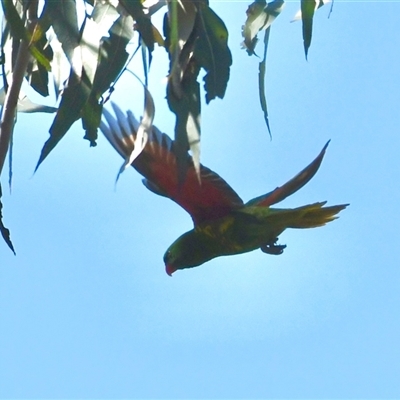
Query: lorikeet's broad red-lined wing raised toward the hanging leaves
pixel 207 199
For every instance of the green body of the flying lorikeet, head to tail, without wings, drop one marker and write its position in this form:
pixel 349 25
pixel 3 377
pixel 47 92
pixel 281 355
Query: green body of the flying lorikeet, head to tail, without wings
pixel 244 230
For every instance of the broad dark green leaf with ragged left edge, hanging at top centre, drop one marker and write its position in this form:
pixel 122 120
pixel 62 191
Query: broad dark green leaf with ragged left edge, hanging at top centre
pixel 212 53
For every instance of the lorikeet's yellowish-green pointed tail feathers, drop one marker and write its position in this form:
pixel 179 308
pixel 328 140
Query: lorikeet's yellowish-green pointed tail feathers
pixel 312 215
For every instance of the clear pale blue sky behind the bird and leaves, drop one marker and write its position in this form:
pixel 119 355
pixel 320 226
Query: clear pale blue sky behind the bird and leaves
pixel 86 309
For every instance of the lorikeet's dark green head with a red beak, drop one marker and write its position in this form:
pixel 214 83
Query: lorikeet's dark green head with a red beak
pixel 187 251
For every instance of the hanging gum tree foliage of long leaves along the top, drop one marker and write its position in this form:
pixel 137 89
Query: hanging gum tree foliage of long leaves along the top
pixel 78 55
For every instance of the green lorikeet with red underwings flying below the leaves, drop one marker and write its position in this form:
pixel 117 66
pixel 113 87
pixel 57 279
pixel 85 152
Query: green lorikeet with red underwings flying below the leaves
pixel 223 224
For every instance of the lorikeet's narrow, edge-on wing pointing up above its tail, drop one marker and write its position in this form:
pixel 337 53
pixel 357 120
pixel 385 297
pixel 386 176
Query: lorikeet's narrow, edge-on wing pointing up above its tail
pixel 291 186
